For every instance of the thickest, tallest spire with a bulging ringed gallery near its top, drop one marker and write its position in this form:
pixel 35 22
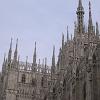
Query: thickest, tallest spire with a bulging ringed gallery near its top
pixel 80 16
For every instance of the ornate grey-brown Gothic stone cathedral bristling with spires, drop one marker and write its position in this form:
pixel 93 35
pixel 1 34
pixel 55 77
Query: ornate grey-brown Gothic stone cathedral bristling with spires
pixel 75 76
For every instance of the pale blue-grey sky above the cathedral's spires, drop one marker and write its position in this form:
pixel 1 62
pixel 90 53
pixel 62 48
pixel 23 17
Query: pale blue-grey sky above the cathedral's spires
pixel 42 21
